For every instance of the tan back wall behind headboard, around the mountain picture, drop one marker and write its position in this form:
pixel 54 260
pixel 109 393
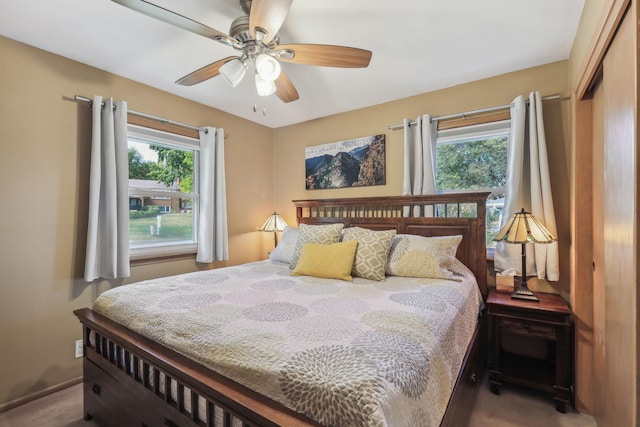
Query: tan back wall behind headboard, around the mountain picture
pixel 291 141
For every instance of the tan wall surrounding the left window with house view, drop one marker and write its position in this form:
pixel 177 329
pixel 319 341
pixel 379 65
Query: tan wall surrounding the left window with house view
pixel 44 158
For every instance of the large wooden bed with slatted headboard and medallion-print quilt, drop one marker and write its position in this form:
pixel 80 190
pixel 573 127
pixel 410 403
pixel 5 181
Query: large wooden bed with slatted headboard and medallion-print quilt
pixel 223 371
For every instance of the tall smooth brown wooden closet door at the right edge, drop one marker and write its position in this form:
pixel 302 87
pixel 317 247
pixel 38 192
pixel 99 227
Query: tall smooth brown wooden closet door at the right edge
pixel 614 232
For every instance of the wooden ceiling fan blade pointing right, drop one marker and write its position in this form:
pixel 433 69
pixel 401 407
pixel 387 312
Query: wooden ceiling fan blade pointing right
pixel 325 55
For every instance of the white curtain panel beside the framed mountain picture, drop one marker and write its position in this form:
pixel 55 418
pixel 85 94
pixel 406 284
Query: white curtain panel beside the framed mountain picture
pixel 419 160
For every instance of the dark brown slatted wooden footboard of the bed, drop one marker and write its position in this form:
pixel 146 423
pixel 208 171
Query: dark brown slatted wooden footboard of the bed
pixel 131 380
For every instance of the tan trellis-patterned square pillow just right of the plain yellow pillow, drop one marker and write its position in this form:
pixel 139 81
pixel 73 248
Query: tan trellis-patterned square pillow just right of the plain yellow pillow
pixel 372 252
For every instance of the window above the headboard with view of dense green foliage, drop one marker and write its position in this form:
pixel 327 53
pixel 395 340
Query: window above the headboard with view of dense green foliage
pixel 475 158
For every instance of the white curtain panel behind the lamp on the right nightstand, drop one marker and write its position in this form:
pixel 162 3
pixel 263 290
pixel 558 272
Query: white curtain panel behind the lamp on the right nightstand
pixel 529 187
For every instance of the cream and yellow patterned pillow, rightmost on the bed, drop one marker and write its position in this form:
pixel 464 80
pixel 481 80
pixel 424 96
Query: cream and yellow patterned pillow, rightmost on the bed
pixel 418 256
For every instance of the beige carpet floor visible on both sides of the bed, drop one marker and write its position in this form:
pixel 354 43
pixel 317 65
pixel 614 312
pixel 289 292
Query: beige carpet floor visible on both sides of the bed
pixel 512 408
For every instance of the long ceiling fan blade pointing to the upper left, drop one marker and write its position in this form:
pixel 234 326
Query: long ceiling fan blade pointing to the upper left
pixel 165 15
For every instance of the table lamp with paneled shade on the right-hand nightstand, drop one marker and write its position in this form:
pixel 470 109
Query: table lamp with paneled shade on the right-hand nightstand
pixel 524 228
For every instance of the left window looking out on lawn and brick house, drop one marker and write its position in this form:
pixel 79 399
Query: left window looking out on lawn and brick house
pixel 163 192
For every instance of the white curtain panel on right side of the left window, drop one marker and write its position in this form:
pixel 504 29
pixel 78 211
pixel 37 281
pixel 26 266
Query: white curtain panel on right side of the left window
pixel 213 240
